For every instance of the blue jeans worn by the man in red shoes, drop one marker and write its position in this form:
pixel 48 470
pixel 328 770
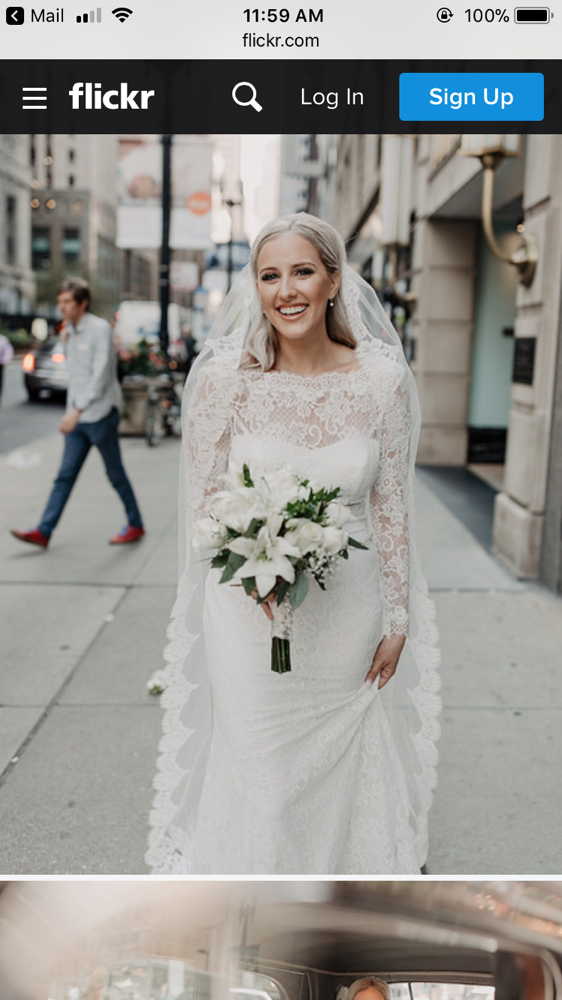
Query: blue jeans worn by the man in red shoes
pixel 103 434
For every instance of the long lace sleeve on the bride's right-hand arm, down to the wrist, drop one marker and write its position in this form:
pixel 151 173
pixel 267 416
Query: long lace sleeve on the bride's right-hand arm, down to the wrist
pixel 389 508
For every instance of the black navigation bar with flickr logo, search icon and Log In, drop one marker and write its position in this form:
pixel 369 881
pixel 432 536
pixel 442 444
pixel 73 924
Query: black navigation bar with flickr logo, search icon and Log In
pixel 93 96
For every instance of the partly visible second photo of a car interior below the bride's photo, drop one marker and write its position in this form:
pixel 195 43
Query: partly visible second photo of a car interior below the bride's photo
pixel 305 940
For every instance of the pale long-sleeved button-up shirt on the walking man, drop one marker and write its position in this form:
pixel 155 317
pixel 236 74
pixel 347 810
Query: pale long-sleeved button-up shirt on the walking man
pixel 93 386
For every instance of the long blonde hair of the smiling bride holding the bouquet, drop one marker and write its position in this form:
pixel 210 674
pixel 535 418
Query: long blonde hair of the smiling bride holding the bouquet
pixel 261 343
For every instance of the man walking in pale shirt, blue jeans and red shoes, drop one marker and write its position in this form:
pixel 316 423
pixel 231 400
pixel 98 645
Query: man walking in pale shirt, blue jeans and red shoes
pixel 92 414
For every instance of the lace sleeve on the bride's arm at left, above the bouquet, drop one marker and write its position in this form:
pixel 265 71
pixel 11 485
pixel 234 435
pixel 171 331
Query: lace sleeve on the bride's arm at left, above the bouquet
pixel 207 431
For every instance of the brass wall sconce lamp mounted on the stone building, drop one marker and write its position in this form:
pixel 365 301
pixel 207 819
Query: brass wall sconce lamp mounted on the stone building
pixel 491 151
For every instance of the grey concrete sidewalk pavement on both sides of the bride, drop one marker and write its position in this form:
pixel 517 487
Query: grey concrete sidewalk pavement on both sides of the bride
pixel 83 630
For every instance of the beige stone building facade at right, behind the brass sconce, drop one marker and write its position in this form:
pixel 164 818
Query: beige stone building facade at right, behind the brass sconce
pixel 468 322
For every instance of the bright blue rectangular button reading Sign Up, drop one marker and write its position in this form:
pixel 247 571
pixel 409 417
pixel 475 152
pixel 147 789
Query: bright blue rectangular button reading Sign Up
pixel 447 97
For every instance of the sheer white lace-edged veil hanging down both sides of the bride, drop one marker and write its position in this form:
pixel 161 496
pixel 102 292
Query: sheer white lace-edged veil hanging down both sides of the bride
pixel 411 699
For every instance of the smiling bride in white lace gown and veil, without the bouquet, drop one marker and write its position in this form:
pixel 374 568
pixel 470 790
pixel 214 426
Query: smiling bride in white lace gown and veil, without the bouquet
pixel 328 769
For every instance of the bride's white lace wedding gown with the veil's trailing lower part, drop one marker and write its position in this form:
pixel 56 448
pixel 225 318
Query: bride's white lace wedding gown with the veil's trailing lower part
pixel 311 772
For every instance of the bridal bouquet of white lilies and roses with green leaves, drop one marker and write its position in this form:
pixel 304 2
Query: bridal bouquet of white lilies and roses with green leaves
pixel 272 533
